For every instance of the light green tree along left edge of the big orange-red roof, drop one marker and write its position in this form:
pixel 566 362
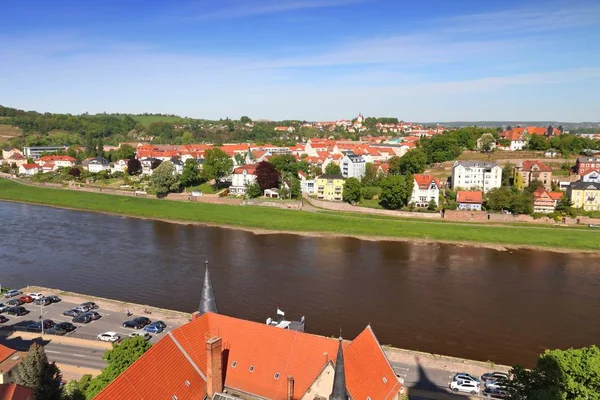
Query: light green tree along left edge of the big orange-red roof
pixel 119 358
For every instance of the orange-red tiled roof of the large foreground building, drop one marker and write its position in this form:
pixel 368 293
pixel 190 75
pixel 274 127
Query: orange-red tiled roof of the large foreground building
pixel 182 356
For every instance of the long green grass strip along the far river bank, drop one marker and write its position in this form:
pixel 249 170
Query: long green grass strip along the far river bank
pixel 319 223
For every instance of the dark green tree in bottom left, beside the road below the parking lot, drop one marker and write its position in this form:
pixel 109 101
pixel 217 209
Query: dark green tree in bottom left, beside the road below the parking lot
pixel 37 373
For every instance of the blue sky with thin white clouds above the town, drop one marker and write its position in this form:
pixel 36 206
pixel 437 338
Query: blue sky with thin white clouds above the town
pixel 434 60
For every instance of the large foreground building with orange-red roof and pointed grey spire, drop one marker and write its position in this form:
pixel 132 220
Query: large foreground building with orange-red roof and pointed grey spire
pixel 215 353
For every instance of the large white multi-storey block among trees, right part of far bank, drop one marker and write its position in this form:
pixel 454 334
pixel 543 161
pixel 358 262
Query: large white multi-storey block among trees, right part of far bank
pixel 476 175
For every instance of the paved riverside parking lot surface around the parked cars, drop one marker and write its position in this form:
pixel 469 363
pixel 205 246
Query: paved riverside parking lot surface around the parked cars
pixel 111 319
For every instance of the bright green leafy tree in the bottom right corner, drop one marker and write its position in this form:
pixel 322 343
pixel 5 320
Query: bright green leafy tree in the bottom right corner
pixel 572 374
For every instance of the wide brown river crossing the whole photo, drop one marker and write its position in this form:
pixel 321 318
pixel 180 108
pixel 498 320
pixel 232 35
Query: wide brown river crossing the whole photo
pixel 462 301
